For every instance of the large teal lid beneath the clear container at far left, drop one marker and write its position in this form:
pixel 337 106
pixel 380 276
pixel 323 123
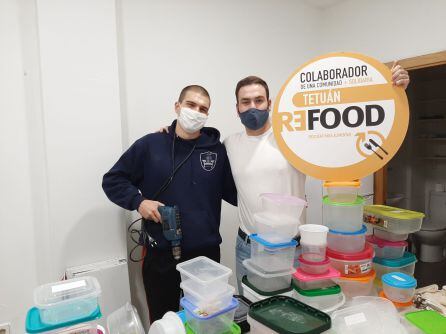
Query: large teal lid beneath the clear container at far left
pixel 35 325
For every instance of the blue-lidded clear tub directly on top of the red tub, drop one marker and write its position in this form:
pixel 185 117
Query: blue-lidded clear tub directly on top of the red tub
pixel 347 242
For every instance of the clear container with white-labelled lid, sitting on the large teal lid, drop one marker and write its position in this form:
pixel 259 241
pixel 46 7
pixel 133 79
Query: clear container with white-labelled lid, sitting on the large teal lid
pixel 67 300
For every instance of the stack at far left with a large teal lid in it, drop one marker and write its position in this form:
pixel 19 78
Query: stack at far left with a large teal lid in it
pixel 69 306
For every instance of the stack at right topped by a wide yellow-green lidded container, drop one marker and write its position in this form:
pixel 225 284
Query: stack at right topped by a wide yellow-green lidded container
pixel 391 227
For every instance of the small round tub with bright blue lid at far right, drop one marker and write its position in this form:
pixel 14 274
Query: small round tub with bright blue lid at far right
pixel 399 287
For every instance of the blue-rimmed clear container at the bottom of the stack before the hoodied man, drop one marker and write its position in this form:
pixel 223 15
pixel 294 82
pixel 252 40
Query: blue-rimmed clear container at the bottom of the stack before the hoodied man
pixel 217 323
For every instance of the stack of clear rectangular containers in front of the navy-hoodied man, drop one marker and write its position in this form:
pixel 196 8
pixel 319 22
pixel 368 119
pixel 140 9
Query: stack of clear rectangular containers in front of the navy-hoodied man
pixel 208 298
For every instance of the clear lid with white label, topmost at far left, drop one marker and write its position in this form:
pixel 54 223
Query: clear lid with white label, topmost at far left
pixel 66 291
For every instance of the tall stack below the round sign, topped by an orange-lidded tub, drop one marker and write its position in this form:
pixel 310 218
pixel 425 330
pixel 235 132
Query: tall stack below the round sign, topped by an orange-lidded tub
pixel 347 249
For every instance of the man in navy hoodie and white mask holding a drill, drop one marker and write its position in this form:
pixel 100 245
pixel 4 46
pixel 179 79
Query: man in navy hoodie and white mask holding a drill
pixel 142 180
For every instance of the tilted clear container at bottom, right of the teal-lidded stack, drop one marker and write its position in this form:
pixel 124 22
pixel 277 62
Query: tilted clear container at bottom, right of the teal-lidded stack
pixel 125 320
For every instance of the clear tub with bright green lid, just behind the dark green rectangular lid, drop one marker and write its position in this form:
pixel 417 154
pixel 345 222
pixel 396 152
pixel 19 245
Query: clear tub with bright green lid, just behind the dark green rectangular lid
pixel 326 300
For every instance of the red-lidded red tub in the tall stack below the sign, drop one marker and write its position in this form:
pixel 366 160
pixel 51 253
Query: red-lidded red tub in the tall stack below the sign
pixel 352 264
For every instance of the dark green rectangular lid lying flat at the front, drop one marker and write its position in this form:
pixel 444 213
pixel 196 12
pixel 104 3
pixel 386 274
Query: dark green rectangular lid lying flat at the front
pixel 286 315
